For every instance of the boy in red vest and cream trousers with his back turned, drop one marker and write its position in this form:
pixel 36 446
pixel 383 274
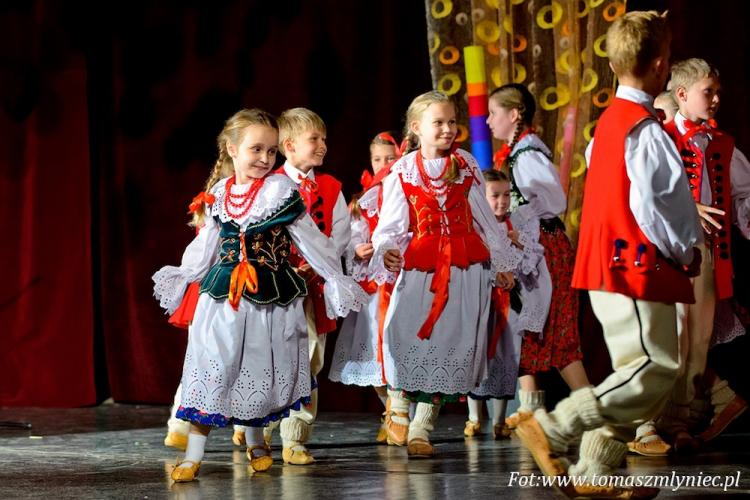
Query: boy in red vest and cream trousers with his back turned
pixel 636 252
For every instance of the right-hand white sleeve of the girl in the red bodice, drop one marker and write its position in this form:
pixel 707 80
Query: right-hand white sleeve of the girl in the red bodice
pixel 505 257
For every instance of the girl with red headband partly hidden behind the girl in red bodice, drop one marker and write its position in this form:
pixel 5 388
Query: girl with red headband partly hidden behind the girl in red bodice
pixel 358 357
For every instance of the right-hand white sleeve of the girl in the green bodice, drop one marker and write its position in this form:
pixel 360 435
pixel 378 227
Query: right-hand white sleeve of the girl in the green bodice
pixel 342 294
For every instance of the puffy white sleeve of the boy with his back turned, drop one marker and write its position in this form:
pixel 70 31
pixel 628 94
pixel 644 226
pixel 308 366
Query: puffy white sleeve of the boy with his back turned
pixel 660 198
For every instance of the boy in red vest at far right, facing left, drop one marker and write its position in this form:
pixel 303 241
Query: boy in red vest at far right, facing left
pixel 719 180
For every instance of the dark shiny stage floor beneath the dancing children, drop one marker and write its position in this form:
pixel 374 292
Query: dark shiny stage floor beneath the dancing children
pixel 116 451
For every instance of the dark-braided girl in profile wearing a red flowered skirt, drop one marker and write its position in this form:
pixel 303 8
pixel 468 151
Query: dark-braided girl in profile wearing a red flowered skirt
pixel 536 193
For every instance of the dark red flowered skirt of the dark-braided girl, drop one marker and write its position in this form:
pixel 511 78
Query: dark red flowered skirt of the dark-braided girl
pixel 560 344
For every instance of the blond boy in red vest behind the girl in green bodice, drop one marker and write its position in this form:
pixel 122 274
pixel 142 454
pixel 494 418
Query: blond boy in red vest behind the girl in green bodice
pixel 302 140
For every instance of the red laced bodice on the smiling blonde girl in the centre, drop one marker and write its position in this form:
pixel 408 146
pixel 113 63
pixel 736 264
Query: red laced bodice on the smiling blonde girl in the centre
pixel 428 222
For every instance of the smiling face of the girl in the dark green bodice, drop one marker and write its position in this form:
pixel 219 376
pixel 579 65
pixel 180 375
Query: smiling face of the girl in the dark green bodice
pixel 255 155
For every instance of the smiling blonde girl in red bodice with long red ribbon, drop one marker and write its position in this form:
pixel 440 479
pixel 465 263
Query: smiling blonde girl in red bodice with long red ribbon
pixel 437 229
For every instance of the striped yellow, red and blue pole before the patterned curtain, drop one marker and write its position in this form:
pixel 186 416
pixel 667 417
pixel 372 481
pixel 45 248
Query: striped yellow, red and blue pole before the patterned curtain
pixel 476 85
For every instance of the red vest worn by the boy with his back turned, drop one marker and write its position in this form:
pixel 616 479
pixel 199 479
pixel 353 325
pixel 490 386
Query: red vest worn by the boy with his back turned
pixel 613 253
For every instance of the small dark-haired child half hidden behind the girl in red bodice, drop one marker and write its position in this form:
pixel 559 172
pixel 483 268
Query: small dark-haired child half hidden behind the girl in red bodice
pixel 508 325
